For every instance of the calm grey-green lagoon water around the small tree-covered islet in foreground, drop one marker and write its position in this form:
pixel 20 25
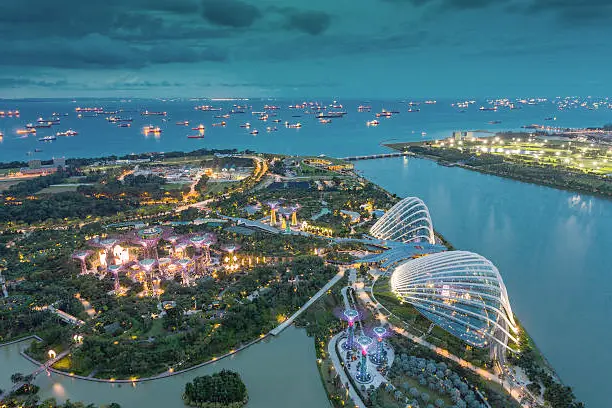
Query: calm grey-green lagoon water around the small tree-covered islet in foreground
pixel 278 372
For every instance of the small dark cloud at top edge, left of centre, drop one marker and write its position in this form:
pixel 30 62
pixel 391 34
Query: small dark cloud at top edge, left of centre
pixel 230 13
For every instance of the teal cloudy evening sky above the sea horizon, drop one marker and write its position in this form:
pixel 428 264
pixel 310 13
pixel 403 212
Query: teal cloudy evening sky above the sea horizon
pixel 299 48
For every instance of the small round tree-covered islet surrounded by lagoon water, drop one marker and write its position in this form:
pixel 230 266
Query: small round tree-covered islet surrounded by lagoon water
pixel 223 389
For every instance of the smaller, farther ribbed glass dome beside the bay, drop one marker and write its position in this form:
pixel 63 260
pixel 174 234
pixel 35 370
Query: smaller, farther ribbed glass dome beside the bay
pixel 406 221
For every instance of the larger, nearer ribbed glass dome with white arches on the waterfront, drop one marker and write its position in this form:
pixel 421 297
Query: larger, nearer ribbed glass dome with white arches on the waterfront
pixel 460 291
